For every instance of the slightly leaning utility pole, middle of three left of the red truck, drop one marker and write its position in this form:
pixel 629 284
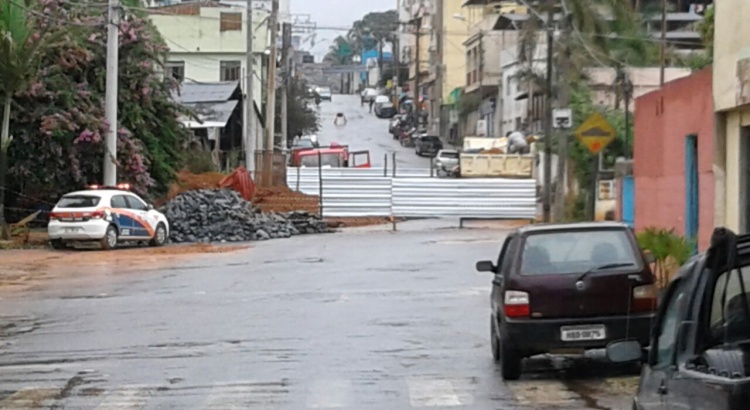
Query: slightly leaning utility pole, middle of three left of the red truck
pixel 271 97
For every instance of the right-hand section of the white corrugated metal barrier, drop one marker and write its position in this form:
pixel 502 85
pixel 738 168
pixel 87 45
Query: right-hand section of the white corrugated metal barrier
pixel 468 198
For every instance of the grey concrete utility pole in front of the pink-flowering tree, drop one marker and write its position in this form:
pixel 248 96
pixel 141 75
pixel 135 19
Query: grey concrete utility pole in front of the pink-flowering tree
pixel 110 106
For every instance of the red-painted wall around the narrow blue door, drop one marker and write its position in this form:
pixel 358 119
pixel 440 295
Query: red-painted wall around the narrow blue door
pixel 663 120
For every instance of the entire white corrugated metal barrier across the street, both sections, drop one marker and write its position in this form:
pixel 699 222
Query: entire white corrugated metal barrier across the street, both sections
pixel 413 193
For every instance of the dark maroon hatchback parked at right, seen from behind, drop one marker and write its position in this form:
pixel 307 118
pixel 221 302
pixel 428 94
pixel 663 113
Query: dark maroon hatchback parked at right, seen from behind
pixel 567 286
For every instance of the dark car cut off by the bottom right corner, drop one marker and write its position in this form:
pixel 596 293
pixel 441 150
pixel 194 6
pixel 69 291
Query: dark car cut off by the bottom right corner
pixel 700 341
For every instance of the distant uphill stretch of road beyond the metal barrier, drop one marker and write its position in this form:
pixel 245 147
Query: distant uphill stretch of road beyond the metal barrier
pixel 364 131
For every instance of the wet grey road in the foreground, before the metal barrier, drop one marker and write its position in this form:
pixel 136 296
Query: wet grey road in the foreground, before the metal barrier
pixel 363 319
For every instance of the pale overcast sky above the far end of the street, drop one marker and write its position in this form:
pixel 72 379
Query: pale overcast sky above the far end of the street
pixel 336 13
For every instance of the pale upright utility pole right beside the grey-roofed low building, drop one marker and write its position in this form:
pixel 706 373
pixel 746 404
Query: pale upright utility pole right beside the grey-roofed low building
pixel 250 137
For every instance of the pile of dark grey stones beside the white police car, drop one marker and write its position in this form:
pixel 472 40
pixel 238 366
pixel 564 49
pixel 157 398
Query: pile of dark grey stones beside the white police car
pixel 222 215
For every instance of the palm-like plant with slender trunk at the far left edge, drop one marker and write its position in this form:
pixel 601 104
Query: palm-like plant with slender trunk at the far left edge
pixel 21 47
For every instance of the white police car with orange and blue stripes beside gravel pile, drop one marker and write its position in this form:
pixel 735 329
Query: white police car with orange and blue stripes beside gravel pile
pixel 108 215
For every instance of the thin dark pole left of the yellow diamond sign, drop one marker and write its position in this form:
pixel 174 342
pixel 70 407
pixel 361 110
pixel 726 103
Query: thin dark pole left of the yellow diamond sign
pixel 547 193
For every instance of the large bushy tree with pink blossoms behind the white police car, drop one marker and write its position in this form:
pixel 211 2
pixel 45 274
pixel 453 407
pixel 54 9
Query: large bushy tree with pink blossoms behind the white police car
pixel 60 122
